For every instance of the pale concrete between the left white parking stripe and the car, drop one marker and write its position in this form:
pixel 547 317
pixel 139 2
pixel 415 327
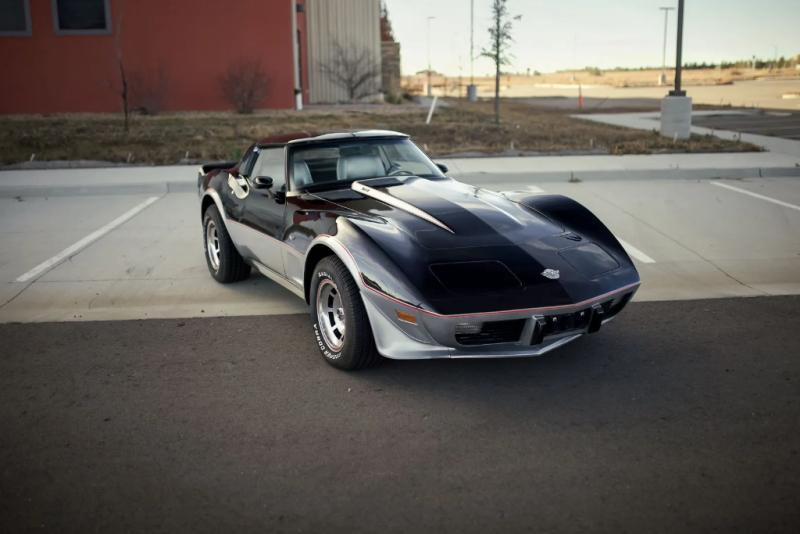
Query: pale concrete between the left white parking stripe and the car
pixel 151 266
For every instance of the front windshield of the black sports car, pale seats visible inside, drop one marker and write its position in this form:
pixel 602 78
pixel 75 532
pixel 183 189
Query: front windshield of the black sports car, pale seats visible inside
pixel 328 166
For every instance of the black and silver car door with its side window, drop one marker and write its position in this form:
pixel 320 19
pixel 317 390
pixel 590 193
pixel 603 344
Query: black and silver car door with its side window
pixel 265 204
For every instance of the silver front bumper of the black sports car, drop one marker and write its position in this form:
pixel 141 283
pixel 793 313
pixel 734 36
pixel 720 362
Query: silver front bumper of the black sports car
pixel 532 332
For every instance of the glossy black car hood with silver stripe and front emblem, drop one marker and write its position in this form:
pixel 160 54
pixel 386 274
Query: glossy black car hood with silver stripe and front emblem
pixel 482 251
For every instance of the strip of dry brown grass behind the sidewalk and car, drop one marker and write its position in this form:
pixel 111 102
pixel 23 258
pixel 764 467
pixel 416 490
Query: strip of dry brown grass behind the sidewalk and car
pixel 457 128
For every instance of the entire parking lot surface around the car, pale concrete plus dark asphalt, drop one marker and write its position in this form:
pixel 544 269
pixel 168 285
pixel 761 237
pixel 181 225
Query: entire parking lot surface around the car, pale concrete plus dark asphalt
pixel 162 401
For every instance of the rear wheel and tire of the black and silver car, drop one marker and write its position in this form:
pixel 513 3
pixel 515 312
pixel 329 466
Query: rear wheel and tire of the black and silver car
pixel 224 262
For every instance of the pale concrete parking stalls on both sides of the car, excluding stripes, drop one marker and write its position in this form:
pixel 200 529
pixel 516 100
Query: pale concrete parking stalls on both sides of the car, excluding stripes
pixel 707 242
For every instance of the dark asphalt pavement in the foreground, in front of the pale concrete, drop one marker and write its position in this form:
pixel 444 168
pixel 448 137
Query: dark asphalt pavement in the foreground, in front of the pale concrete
pixel 677 417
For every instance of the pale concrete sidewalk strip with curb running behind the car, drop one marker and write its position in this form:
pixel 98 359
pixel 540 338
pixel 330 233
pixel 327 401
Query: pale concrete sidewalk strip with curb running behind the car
pixel 183 178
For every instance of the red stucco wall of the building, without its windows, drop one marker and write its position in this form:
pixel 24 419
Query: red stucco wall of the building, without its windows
pixel 182 46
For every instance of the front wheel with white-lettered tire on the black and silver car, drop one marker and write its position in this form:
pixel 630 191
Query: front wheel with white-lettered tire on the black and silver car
pixel 333 288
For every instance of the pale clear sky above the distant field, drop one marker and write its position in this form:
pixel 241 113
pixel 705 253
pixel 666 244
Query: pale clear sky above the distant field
pixel 562 34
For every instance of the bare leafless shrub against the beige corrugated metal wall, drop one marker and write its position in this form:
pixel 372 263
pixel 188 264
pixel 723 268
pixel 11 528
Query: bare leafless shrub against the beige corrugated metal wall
pixel 353 69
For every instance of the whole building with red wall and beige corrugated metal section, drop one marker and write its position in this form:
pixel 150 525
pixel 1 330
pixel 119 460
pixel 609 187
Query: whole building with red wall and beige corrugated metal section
pixel 170 55
